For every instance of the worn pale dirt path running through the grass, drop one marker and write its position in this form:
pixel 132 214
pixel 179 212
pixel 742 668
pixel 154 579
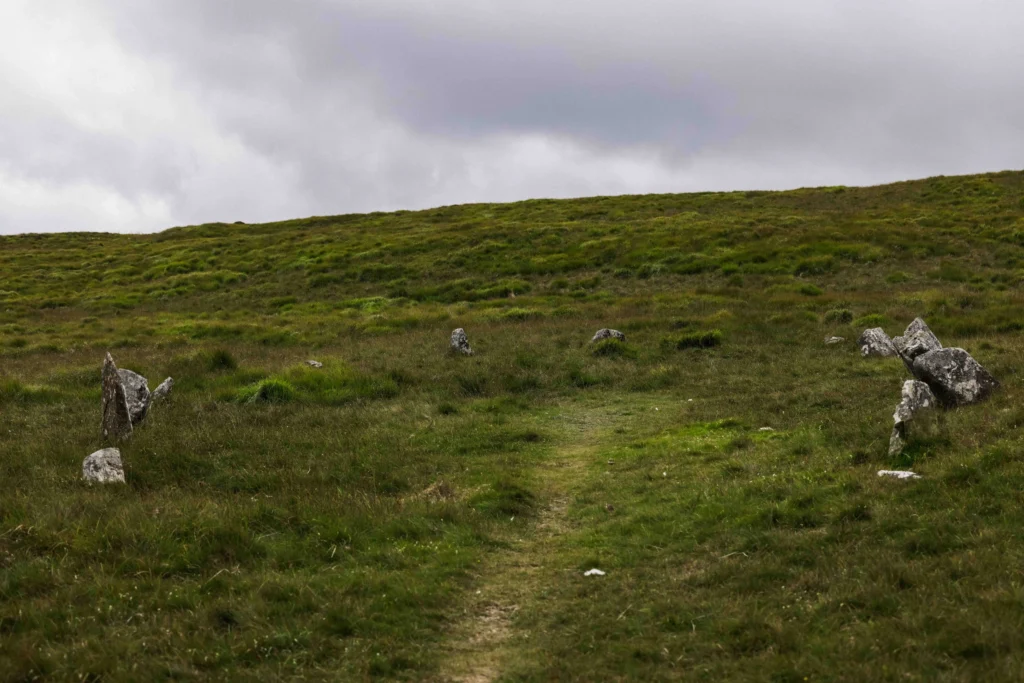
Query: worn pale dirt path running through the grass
pixel 514 583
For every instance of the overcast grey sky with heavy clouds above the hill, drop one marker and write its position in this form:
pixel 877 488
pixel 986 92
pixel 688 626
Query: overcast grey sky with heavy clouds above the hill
pixel 141 115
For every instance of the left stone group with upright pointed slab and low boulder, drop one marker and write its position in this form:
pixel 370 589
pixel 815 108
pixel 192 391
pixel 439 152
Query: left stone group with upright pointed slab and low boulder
pixel 126 402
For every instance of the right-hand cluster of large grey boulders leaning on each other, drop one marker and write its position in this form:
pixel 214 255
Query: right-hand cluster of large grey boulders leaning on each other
pixel 947 377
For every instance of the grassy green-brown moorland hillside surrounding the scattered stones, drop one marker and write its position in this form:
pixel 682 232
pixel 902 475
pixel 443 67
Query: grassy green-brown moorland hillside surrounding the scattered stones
pixel 409 514
